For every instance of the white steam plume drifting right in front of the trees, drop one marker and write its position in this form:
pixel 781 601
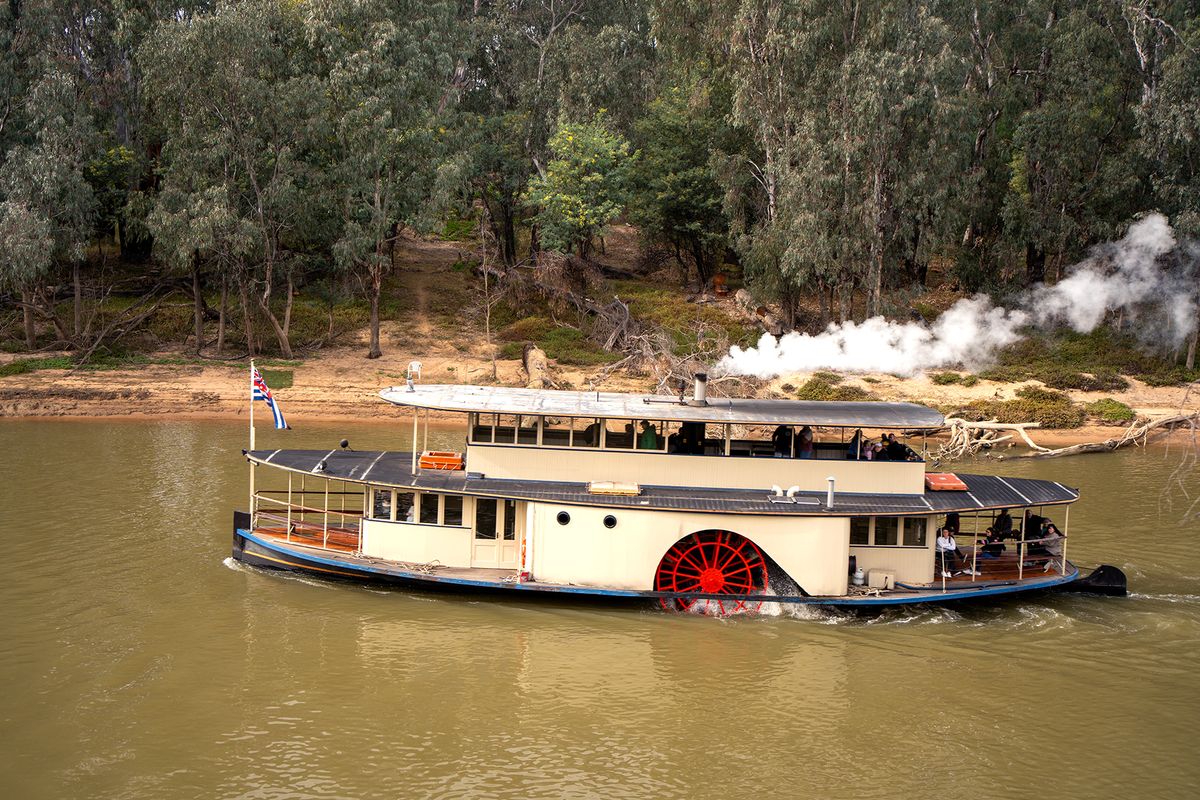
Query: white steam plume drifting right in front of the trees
pixel 1125 275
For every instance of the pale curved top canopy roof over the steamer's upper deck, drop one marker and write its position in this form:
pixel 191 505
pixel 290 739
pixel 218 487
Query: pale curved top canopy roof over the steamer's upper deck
pixel 503 400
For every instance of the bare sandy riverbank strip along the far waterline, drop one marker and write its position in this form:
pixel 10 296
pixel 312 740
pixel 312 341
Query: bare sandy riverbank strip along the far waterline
pixel 341 384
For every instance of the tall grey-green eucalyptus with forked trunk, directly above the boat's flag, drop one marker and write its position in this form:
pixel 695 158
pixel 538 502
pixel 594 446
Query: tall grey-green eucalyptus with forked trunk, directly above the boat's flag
pixel 235 98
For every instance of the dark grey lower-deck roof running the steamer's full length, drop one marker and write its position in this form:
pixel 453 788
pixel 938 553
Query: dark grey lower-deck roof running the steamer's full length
pixel 395 470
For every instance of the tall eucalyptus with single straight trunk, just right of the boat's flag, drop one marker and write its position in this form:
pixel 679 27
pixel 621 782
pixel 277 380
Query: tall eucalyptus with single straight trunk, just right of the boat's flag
pixel 386 65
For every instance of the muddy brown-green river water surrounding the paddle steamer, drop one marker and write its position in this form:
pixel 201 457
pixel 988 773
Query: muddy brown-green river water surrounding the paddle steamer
pixel 141 663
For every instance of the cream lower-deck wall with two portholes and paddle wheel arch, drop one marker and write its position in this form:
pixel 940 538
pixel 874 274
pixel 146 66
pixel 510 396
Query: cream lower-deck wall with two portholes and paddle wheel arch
pixel 812 550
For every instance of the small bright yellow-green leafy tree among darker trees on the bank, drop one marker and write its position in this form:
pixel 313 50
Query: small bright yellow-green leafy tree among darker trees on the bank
pixel 585 185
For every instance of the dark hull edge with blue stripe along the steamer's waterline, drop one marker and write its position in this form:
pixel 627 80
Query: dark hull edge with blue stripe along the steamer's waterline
pixel 287 558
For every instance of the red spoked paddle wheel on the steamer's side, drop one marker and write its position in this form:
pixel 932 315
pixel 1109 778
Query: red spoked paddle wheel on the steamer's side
pixel 712 563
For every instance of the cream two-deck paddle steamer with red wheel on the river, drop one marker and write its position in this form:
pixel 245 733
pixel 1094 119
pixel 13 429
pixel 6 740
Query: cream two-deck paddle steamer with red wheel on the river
pixel 685 503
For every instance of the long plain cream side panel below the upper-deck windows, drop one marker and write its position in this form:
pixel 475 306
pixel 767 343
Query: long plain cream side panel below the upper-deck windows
pixel 673 470
